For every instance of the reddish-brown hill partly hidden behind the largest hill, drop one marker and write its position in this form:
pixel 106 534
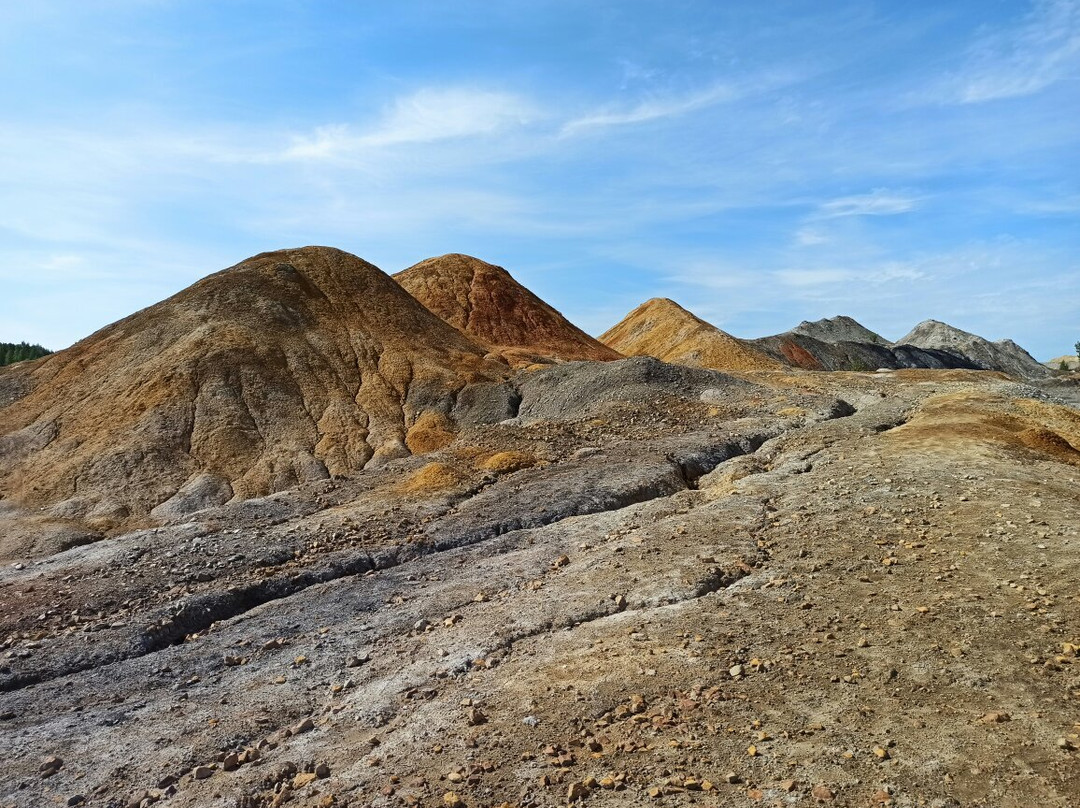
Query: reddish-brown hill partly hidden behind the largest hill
pixel 488 304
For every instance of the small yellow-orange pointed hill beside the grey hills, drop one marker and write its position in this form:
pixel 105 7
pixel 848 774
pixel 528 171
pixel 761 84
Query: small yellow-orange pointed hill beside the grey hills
pixel 663 329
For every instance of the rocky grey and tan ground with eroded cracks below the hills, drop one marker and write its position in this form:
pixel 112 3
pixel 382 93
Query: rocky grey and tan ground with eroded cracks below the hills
pixel 654 586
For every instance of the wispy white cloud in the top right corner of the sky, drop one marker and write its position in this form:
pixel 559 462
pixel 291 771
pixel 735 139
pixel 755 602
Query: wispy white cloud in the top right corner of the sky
pixel 1021 61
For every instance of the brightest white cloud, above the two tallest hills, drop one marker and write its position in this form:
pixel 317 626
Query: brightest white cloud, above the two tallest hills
pixel 427 116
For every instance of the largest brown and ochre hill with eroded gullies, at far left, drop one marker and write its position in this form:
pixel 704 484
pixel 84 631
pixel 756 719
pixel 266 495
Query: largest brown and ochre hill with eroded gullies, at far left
pixel 290 367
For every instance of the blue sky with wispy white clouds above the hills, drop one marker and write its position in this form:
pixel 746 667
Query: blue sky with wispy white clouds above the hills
pixel 762 164
